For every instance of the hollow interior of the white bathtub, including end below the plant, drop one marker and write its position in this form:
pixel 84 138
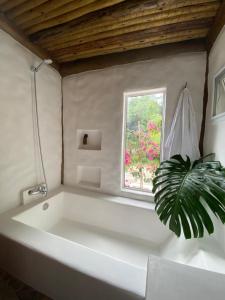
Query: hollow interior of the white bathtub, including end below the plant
pixel 124 232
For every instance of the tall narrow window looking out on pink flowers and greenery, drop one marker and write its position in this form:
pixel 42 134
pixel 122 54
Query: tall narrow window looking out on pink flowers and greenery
pixel 142 136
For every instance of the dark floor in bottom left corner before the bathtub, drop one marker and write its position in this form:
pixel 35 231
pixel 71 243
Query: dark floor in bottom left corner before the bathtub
pixel 13 289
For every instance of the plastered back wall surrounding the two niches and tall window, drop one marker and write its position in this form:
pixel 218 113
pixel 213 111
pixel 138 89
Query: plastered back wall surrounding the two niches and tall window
pixel 94 100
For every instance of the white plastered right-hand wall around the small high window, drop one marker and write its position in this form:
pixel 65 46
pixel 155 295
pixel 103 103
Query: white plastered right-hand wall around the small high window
pixel 215 129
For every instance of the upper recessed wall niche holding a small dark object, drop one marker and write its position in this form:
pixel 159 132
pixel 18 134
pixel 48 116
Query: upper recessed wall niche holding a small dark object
pixel 89 139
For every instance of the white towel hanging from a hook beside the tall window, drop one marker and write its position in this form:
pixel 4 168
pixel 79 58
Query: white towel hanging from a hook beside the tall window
pixel 183 136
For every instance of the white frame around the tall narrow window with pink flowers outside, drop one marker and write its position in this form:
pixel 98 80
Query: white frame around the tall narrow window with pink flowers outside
pixel 126 95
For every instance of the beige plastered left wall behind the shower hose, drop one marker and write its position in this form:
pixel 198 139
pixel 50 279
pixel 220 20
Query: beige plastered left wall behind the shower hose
pixel 17 156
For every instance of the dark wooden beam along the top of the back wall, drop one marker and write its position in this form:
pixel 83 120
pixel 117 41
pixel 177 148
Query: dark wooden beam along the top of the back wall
pixel 105 61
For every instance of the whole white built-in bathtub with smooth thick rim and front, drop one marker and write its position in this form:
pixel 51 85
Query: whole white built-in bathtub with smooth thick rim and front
pixel 92 246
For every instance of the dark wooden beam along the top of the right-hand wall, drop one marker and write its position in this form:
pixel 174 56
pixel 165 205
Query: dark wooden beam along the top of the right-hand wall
pixel 219 23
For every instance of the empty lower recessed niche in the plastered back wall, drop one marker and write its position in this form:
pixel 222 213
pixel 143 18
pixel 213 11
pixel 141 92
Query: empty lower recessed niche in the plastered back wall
pixel 89 176
